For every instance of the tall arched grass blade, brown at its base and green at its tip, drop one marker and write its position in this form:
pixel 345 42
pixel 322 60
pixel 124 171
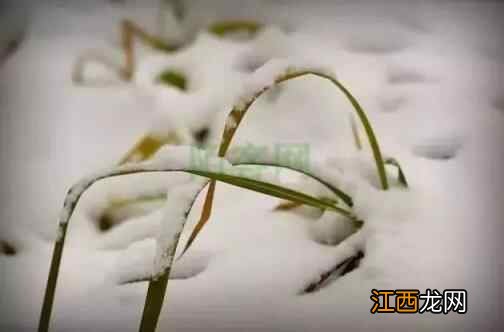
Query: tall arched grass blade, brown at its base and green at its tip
pixel 238 113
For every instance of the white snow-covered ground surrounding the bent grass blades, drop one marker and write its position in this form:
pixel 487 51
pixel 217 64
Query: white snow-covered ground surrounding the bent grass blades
pixel 430 75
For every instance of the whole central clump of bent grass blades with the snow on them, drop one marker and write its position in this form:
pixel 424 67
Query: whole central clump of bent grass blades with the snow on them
pixel 229 170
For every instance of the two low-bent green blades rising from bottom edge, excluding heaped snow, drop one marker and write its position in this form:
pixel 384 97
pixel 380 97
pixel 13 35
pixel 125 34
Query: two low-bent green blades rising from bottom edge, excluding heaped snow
pixel 157 286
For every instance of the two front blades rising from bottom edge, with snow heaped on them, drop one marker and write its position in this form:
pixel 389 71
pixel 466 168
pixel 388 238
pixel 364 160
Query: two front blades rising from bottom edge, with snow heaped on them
pixel 172 160
